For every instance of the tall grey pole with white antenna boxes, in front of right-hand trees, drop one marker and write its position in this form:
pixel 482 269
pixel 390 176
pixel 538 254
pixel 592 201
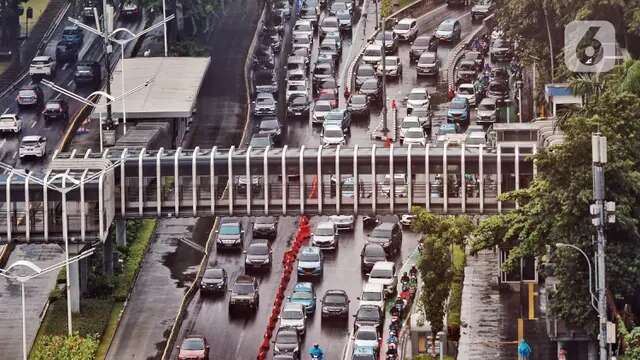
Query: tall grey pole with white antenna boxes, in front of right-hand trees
pixel 602 212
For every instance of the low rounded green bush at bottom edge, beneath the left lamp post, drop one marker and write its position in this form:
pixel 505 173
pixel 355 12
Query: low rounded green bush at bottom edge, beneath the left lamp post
pixel 74 347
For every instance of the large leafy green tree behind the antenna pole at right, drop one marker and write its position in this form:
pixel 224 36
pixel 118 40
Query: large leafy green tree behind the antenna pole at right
pixel 555 208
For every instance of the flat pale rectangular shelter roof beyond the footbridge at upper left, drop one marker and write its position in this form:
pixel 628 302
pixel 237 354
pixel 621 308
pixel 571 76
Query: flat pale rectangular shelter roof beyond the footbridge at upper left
pixel 172 93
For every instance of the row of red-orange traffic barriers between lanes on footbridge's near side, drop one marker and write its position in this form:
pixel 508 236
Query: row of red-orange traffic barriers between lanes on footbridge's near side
pixel 290 255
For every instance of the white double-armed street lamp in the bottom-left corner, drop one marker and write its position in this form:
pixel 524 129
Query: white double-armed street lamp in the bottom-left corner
pixel 37 272
